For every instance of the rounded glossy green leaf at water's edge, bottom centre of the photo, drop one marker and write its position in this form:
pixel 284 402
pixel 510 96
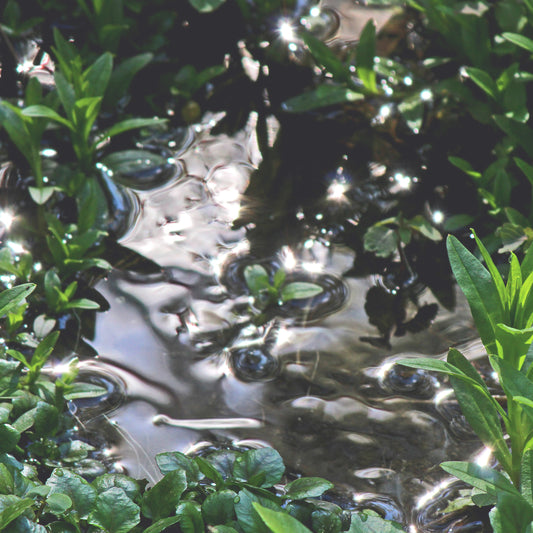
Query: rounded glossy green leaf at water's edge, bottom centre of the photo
pixel 262 462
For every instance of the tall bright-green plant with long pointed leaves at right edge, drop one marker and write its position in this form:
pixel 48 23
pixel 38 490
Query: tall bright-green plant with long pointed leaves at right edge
pixel 503 314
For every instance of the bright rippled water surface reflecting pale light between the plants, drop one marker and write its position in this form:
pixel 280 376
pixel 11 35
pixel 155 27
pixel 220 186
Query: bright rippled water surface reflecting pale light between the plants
pixel 197 372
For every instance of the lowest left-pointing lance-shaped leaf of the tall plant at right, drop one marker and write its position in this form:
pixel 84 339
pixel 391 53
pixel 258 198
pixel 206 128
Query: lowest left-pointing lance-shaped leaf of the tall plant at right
pixel 481 477
